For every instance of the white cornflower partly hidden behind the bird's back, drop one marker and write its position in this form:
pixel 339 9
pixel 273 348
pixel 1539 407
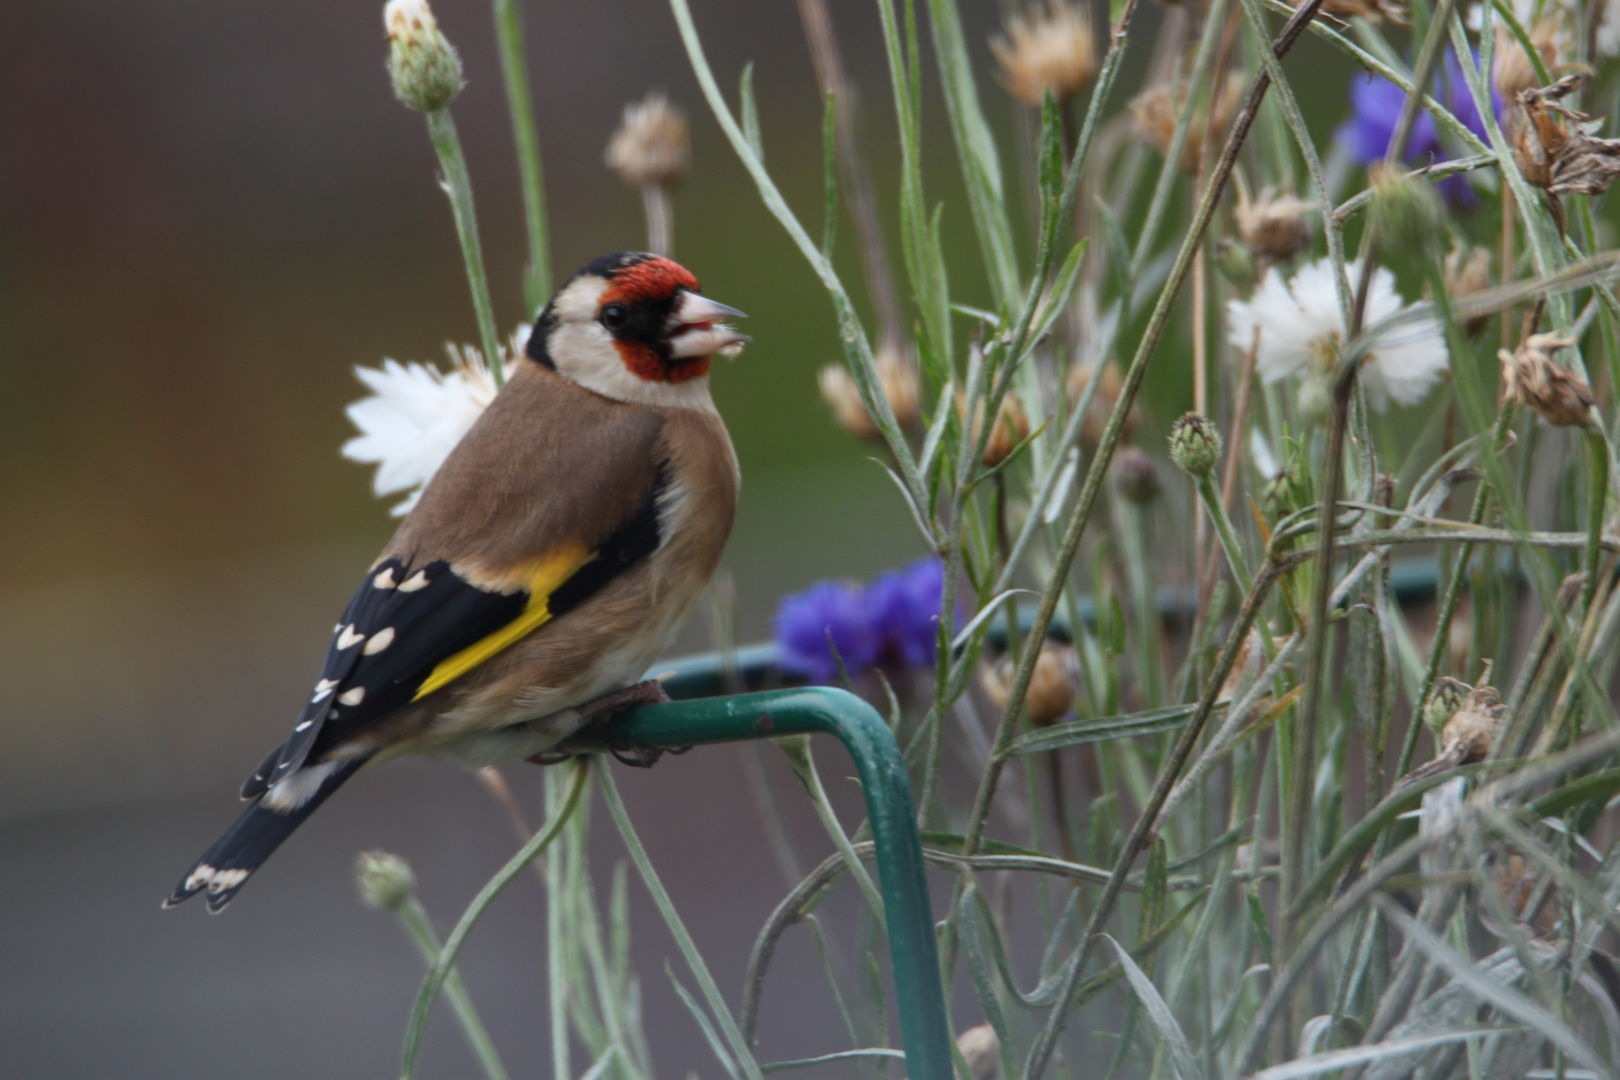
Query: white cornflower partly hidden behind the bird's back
pixel 416 417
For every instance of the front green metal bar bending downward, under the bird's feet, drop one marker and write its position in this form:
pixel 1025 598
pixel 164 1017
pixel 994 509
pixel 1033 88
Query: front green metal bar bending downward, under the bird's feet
pixel 822 710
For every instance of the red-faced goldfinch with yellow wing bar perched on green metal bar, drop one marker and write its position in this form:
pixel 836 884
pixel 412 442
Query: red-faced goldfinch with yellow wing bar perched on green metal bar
pixel 547 564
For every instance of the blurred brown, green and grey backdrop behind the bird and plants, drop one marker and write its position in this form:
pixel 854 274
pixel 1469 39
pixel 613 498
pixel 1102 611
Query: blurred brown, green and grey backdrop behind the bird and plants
pixel 211 215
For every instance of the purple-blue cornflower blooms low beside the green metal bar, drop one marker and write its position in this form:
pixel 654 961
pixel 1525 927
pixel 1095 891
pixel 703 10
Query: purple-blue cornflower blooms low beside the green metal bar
pixel 890 623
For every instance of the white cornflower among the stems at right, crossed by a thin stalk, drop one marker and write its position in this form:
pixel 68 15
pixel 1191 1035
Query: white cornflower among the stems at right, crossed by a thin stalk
pixel 1300 330
